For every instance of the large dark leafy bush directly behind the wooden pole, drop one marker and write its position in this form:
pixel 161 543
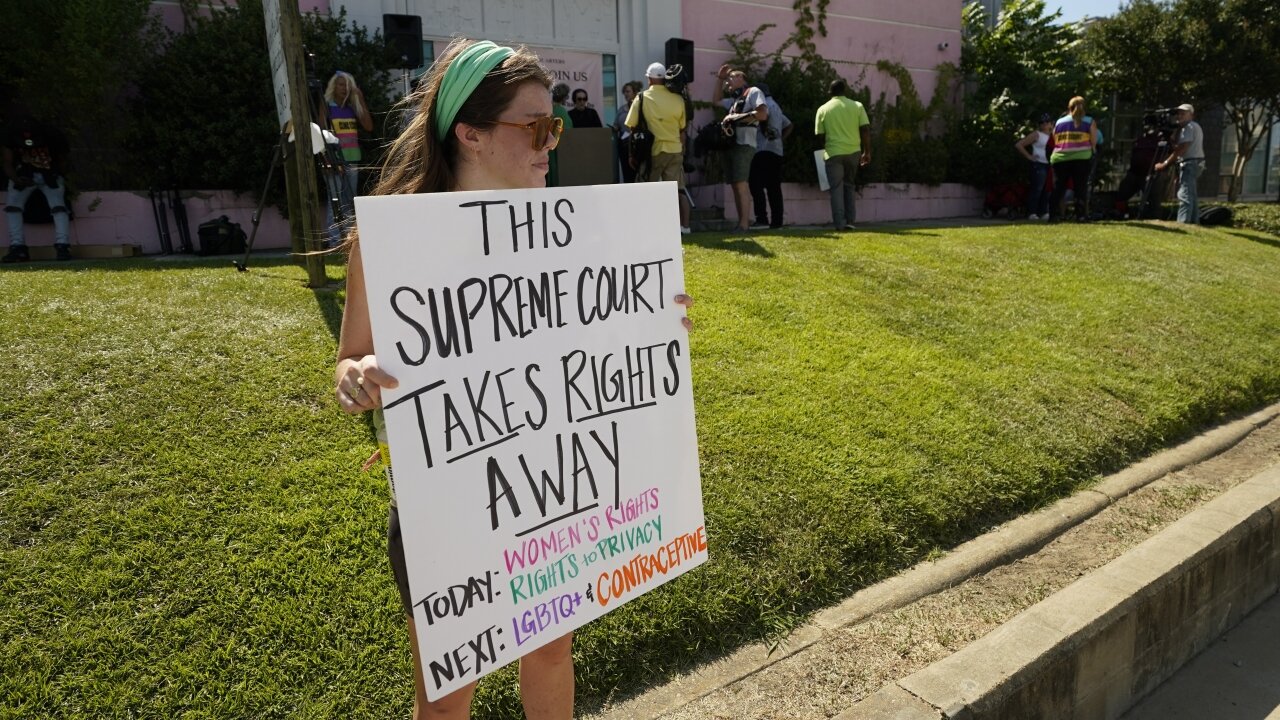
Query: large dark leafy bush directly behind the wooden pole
pixel 204 113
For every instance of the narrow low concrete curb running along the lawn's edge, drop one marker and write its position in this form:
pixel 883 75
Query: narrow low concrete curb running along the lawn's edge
pixel 1004 545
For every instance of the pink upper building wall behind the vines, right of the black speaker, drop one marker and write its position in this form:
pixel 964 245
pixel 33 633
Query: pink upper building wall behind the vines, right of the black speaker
pixel 917 34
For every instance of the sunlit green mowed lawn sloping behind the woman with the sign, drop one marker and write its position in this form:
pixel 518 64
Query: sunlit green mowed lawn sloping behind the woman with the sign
pixel 185 528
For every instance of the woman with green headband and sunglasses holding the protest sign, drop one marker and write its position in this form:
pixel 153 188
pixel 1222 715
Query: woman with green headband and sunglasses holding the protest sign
pixel 484 122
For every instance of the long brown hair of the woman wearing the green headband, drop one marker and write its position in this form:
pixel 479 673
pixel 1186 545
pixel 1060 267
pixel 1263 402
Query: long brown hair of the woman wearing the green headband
pixel 418 162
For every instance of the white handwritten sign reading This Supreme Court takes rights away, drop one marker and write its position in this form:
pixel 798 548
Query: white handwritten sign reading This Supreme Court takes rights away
pixel 542 436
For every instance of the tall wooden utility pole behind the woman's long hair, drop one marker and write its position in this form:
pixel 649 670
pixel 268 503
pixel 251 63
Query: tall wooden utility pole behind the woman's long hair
pixel 294 108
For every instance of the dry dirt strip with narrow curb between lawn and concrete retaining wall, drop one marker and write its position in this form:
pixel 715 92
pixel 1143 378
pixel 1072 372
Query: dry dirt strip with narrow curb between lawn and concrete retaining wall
pixel 932 612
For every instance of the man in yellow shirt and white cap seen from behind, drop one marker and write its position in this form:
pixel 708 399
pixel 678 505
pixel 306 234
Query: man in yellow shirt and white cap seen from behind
pixel 665 116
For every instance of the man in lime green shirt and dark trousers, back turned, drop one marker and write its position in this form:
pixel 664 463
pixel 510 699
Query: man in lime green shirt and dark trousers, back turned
pixel 845 133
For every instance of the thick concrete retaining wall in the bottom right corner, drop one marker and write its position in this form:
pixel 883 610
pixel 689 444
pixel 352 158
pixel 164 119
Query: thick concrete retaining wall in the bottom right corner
pixel 1092 650
